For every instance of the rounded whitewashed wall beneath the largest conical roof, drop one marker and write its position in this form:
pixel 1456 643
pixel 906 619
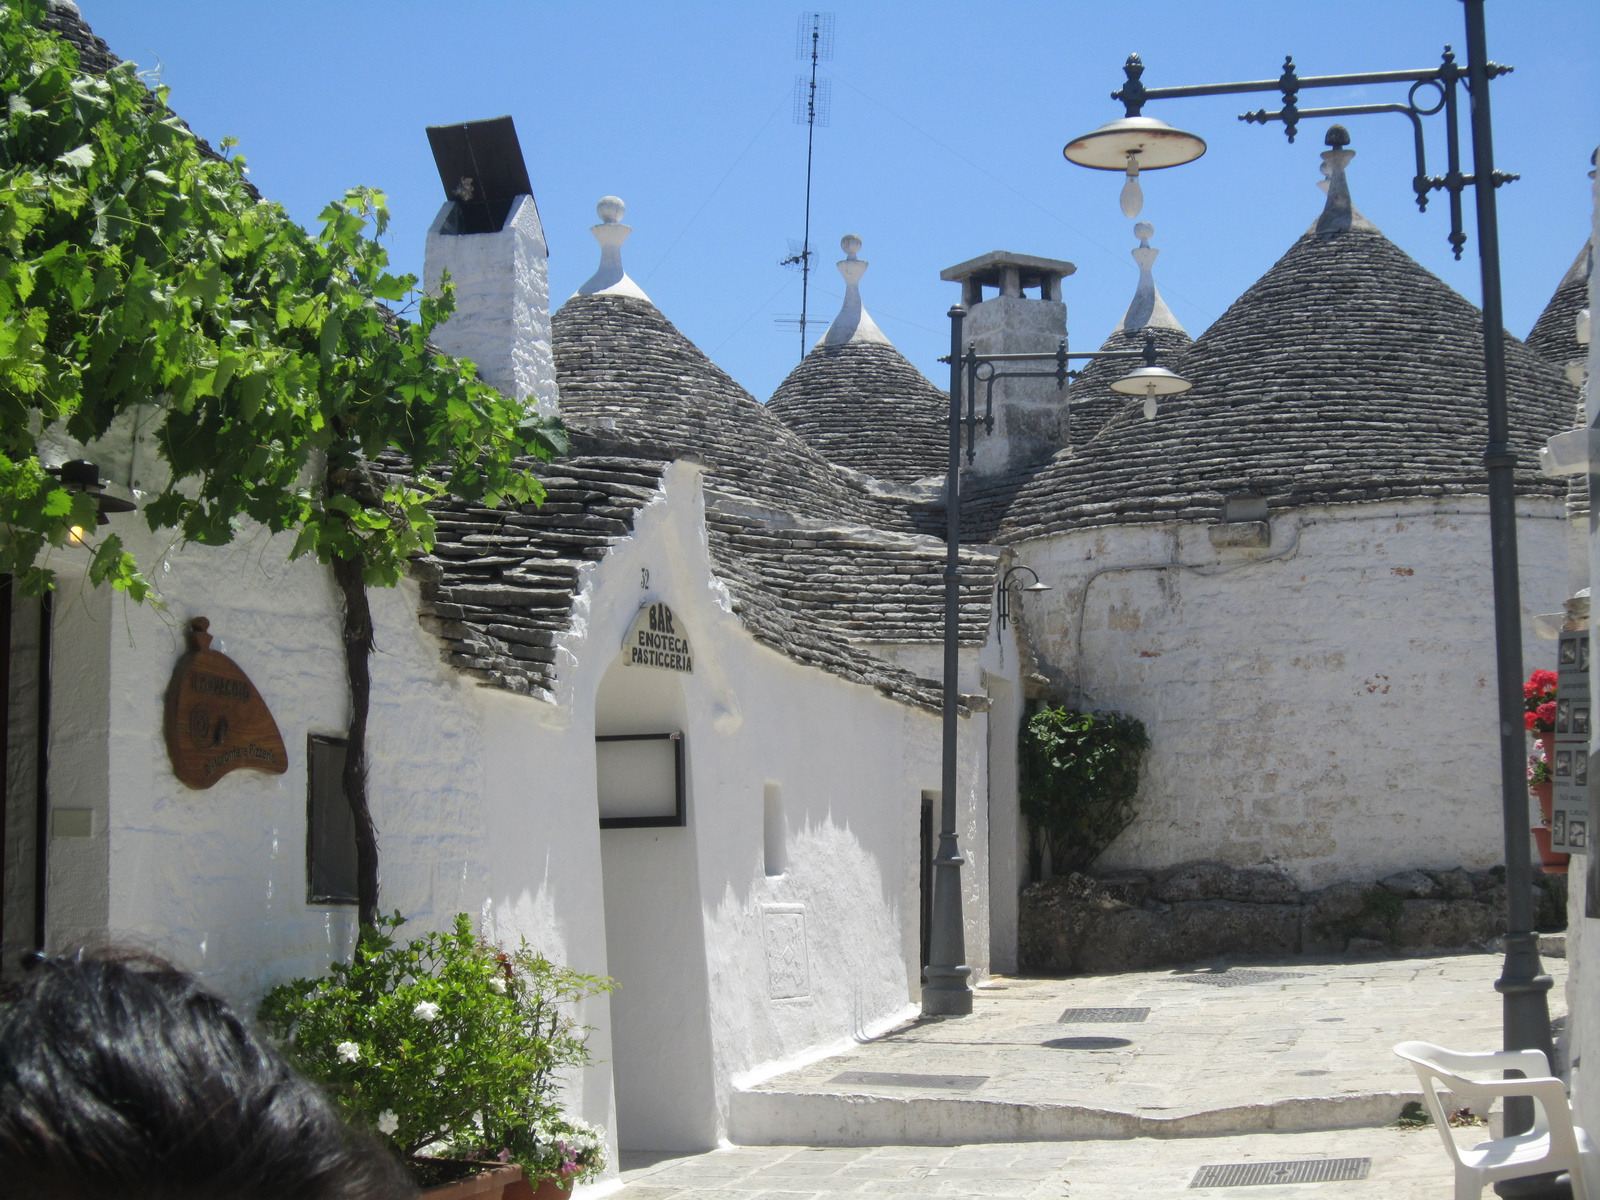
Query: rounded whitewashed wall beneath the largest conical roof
pixel 1324 705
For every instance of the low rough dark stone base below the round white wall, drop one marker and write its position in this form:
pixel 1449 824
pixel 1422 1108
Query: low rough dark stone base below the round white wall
pixel 1137 921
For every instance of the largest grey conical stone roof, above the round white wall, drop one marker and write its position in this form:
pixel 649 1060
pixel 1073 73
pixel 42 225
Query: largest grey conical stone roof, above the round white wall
pixel 1346 374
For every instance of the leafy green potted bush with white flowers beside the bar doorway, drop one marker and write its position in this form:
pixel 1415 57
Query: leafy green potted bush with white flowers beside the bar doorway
pixel 450 1050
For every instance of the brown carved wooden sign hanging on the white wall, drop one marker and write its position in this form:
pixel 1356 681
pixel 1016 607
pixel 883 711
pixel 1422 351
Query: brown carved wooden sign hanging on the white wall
pixel 217 721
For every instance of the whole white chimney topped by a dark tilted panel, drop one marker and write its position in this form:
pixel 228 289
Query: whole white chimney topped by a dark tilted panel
pixel 490 241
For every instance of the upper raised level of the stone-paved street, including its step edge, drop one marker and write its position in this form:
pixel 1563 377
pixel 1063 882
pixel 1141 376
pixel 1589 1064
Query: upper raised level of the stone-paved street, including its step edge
pixel 1266 1047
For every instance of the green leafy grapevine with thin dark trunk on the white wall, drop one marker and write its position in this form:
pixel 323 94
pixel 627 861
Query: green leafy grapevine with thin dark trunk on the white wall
pixel 140 273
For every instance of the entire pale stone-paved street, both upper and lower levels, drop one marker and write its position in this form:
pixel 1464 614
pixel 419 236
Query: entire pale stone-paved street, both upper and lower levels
pixel 1281 1063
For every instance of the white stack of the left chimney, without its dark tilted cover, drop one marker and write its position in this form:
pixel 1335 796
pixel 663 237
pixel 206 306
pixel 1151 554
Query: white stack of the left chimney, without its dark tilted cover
pixel 503 302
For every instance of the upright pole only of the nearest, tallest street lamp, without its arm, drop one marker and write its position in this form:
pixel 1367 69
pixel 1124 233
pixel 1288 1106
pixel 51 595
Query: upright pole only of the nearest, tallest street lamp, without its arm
pixel 1522 983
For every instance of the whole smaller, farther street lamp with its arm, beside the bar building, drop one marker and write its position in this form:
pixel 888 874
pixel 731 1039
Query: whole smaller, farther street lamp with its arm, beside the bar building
pixel 945 990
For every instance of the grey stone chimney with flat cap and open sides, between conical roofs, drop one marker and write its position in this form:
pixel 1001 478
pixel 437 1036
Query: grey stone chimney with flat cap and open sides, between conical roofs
pixel 1002 318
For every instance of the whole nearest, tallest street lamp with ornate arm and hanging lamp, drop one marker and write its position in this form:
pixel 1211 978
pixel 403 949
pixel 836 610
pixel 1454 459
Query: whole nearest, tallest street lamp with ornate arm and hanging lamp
pixel 1138 140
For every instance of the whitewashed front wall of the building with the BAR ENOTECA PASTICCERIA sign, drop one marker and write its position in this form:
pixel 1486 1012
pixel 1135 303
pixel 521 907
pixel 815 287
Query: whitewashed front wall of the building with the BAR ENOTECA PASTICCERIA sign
pixel 486 802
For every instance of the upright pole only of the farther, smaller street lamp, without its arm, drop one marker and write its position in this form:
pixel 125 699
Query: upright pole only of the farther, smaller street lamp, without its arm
pixel 945 991
